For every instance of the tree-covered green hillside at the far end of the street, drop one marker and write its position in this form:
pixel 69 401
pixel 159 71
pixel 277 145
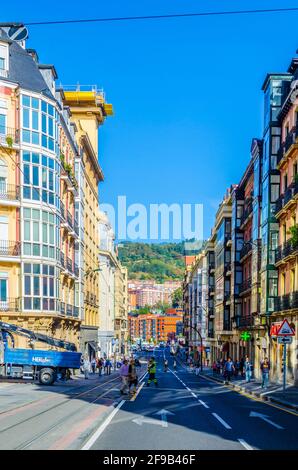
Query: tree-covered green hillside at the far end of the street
pixel 159 261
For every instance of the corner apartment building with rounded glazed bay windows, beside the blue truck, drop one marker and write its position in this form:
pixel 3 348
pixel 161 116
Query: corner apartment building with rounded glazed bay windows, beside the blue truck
pixel 40 241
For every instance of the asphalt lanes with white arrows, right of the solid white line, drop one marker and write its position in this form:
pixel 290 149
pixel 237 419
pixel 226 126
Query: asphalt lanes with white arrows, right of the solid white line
pixel 190 412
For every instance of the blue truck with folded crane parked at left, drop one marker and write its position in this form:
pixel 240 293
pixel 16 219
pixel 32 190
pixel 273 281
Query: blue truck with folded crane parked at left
pixel 35 364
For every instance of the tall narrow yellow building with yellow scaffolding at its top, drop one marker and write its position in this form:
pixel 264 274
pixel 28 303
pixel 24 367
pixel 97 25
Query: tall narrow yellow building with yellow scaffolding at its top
pixel 88 112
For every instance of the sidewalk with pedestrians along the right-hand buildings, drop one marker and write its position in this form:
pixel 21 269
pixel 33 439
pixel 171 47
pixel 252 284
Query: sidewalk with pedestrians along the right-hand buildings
pixel 274 392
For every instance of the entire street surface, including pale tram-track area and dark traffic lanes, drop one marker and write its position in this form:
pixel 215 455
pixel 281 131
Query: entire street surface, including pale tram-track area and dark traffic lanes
pixel 183 412
